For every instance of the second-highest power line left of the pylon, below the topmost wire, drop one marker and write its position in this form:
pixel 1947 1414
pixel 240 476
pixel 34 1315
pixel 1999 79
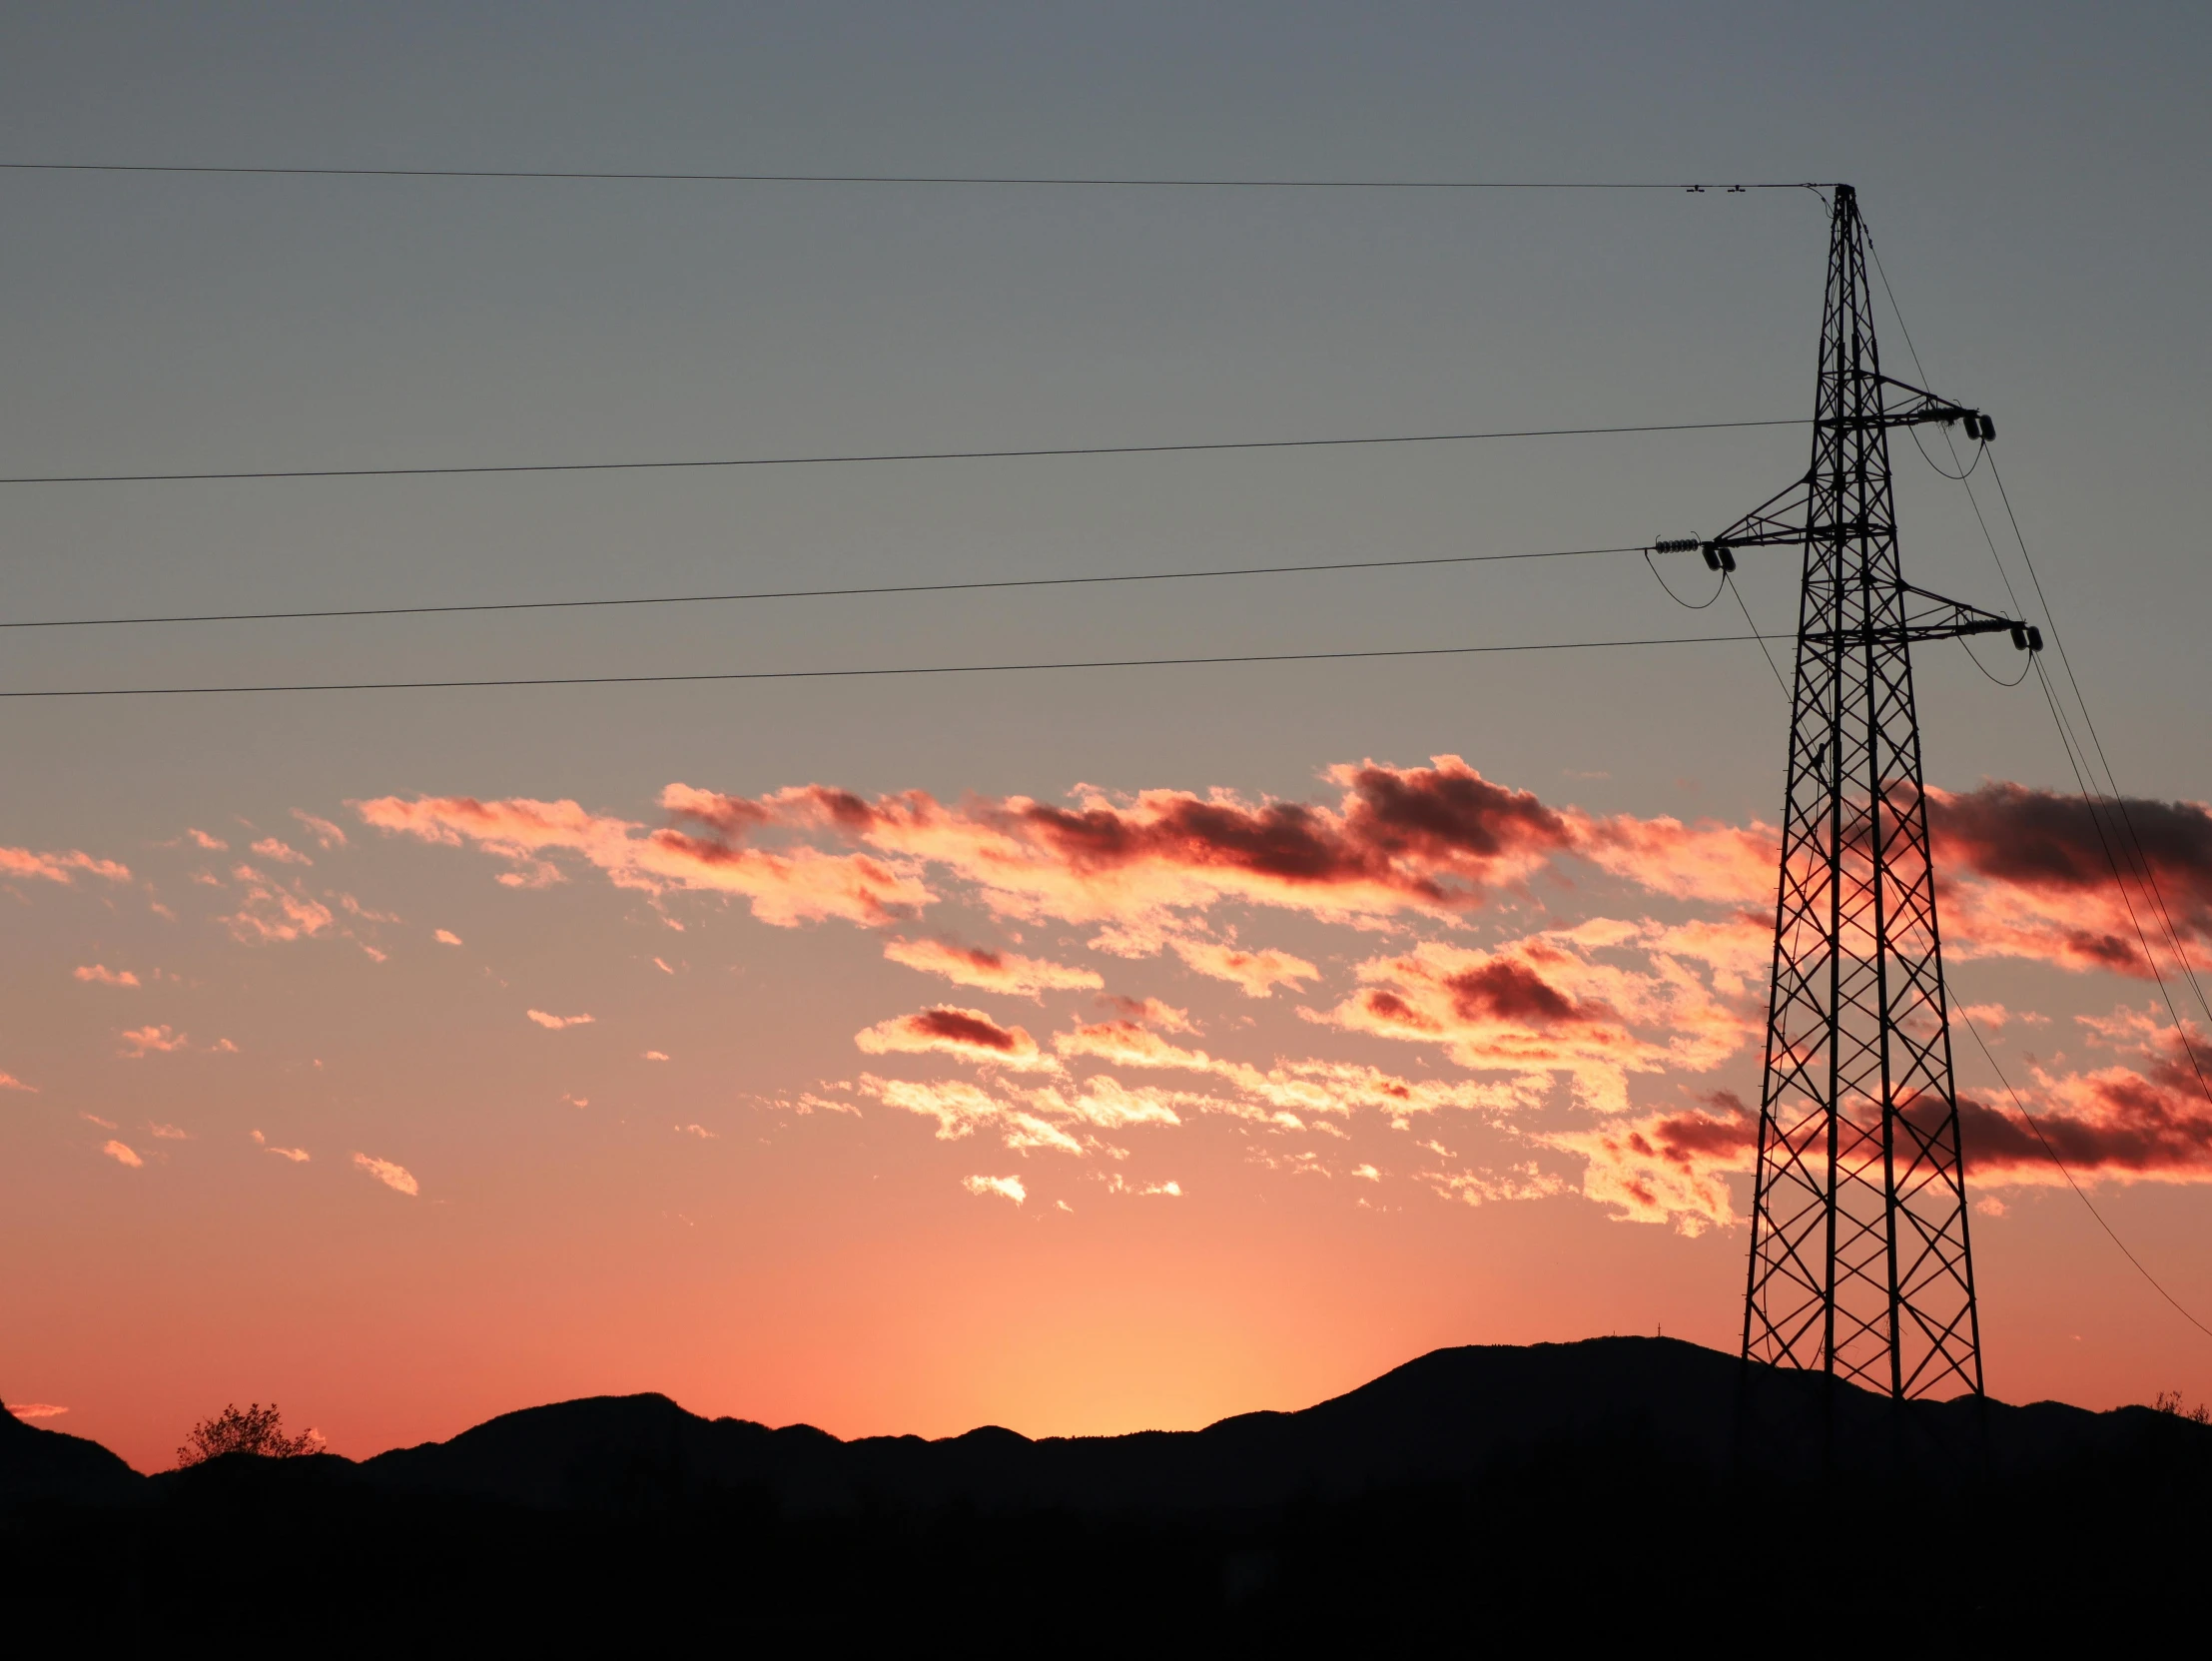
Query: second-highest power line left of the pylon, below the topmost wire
pixel 893 457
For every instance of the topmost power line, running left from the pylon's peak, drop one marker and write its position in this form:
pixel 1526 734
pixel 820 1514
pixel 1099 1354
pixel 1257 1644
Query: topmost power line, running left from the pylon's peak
pixel 906 178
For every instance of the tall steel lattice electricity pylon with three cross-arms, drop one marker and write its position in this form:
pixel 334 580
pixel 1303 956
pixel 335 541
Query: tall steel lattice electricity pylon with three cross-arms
pixel 1861 1262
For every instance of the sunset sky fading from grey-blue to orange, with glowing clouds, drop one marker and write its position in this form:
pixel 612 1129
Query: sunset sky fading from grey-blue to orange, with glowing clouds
pixel 1074 1052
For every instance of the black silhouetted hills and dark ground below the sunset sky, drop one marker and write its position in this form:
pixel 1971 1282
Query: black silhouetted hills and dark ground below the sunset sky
pixel 1627 1490
